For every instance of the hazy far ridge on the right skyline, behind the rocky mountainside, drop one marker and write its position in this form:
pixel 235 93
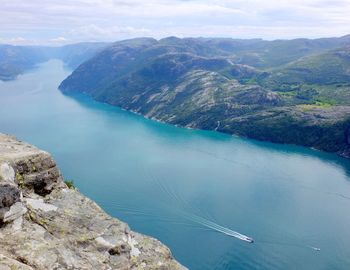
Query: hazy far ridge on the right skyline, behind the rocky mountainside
pixel 257 52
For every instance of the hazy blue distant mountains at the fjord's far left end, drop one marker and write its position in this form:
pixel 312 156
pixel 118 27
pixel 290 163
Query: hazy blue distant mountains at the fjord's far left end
pixel 15 60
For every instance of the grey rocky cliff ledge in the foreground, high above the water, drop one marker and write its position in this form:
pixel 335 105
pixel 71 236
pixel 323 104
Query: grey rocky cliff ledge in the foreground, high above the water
pixel 46 225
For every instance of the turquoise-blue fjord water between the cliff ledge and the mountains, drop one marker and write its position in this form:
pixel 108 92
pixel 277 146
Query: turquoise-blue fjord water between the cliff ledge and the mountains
pixel 156 177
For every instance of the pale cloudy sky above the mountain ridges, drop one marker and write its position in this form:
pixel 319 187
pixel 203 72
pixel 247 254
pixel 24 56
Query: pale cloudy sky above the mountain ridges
pixel 57 22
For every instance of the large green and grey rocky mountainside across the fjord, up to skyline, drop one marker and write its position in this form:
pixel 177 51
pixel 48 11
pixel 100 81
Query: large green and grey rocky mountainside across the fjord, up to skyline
pixel 293 91
